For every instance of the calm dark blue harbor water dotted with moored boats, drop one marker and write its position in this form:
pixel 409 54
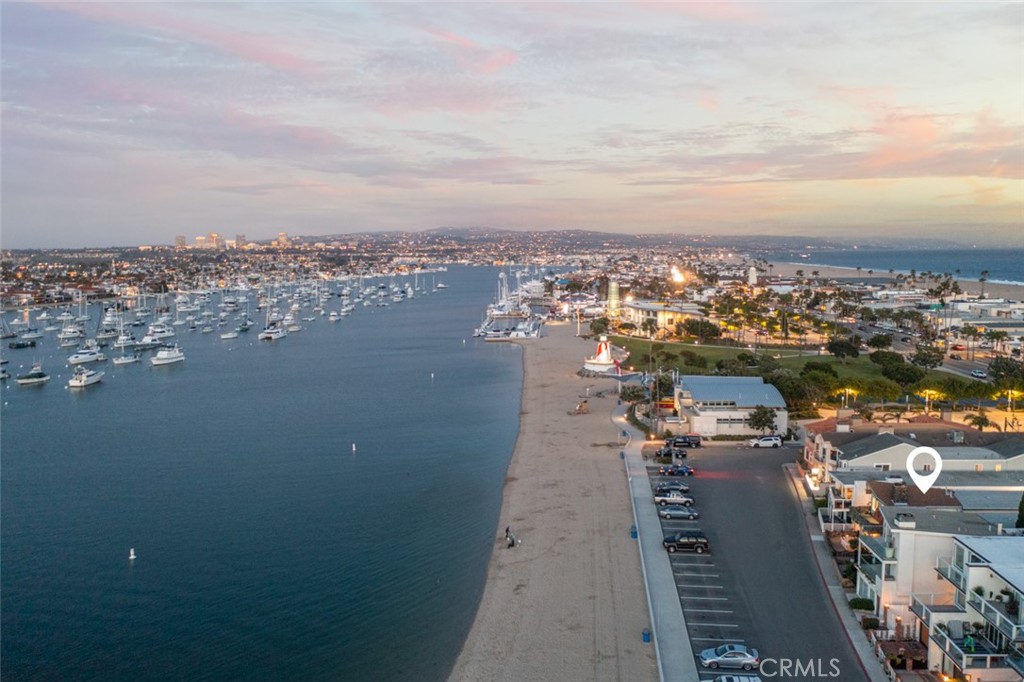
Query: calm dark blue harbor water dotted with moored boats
pixel 268 548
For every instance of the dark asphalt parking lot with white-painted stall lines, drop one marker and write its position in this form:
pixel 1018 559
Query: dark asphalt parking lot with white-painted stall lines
pixel 760 584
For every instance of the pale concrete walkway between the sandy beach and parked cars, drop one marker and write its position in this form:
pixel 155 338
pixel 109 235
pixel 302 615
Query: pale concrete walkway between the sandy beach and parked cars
pixel 676 661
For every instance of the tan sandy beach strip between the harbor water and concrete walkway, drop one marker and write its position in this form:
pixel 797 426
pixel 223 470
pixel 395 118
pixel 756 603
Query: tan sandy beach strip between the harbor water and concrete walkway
pixel 569 603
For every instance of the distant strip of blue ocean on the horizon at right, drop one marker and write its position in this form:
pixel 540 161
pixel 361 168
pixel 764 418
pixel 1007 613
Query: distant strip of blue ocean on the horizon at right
pixel 1005 266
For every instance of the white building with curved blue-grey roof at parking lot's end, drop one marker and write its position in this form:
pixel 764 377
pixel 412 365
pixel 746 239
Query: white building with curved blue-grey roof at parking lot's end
pixel 720 406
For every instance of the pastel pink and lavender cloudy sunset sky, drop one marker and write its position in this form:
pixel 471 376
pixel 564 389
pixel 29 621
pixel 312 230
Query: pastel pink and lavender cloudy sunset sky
pixel 133 123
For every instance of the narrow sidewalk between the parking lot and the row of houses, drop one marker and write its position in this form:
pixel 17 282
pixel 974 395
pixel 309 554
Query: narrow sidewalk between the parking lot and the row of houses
pixel 827 568
